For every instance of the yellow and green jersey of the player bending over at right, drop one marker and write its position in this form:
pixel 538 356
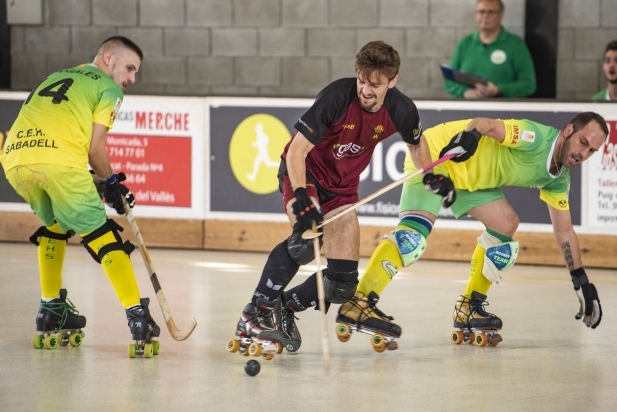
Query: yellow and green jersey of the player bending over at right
pixel 522 159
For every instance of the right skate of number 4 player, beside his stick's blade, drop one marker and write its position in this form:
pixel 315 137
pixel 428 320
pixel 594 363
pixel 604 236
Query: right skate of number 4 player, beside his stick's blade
pixel 143 329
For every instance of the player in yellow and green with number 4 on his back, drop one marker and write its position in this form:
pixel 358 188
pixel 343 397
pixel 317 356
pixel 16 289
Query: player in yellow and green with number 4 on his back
pixel 62 127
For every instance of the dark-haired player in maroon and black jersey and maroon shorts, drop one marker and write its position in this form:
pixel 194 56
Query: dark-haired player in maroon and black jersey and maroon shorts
pixel 319 175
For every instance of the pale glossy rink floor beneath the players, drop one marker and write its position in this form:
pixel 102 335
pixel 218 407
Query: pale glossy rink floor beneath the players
pixel 548 361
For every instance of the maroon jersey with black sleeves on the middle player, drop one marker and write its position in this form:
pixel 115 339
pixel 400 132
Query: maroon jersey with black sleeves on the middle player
pixel 345 135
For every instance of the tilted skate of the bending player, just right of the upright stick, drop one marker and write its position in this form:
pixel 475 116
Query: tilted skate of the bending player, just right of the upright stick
pixel 361 314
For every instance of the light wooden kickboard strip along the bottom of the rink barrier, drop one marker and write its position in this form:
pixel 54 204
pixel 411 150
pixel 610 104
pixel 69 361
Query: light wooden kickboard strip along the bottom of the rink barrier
pixel 444 244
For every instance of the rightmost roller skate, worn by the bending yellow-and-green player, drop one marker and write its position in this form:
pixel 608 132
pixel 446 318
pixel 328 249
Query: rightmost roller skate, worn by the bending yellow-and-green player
pixel 474 324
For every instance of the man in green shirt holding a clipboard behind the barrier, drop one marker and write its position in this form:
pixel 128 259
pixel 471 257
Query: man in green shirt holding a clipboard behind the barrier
pixel 494 53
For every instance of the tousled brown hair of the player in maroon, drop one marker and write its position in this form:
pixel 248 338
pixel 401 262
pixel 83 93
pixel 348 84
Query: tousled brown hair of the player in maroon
pixel 377 56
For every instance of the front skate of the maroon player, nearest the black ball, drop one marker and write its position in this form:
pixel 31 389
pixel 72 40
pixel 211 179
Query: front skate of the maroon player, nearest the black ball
pixel 255 333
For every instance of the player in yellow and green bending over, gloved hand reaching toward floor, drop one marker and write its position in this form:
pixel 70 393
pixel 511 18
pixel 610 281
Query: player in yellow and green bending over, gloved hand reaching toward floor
pixel 510 152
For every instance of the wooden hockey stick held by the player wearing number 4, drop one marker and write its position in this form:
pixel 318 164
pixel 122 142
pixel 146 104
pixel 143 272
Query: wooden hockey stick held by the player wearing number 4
pixel 175 333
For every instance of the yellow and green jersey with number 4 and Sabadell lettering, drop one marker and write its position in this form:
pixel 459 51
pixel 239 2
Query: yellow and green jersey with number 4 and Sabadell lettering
pixel 54 125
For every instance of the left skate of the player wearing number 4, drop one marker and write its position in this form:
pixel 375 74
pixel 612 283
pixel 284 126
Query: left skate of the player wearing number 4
pixel 58 323
